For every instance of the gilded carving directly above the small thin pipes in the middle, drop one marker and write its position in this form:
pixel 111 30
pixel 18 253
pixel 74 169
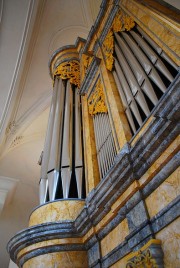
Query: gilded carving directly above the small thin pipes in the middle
pixel 96 102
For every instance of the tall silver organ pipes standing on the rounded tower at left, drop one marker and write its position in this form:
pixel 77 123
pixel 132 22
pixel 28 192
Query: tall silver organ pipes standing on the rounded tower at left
pixel 62 162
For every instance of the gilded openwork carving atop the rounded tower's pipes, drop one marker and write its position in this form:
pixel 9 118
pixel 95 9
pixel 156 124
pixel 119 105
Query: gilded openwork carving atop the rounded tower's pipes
pixel 69 70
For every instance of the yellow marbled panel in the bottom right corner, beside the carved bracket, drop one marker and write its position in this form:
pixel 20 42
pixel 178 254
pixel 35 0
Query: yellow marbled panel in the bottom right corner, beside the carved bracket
pixel 170 237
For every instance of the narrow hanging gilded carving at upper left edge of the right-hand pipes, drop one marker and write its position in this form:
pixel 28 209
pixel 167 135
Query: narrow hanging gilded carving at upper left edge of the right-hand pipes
pixel 108 49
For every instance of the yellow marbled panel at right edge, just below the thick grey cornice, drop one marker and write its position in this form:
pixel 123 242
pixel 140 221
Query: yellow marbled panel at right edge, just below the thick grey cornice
pixel 164 194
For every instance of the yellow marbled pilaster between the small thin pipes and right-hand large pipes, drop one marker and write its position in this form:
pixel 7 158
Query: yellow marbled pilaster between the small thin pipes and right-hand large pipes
pixel 115 105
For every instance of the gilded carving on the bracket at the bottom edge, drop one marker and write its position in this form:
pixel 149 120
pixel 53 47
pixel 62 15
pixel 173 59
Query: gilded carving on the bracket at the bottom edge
pixel 142 260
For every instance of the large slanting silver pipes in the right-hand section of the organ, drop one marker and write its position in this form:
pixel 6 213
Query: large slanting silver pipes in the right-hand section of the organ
pixel 142 72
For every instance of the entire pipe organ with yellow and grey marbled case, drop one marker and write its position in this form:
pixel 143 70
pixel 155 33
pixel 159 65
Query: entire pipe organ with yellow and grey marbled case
pixel 109 172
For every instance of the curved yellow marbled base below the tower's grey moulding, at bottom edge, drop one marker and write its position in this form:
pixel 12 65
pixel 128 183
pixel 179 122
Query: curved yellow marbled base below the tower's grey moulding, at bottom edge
pixel 73 259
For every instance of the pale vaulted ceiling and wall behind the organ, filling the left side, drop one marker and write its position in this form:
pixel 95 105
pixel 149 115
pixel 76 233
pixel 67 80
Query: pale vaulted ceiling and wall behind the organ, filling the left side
pixel 30 31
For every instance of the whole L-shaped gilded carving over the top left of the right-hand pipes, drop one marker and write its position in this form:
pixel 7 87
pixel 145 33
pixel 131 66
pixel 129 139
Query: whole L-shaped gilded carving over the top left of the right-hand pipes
pixel 121 23
